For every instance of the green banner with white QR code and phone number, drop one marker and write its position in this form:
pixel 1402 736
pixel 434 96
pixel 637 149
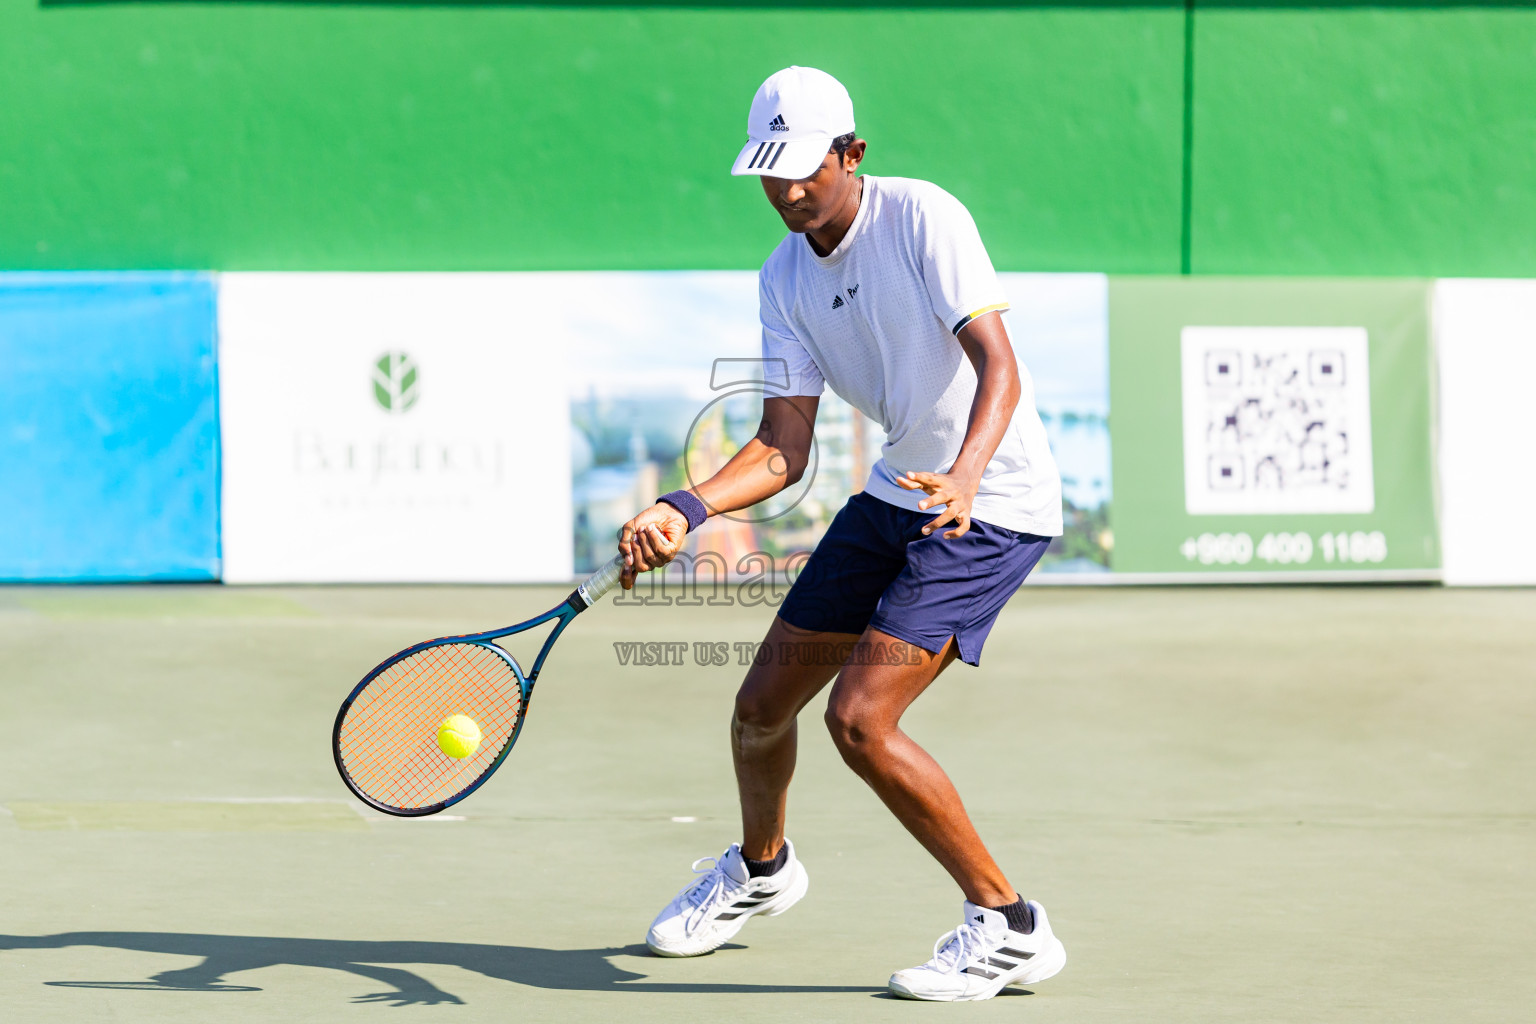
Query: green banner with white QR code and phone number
pixel 1273 429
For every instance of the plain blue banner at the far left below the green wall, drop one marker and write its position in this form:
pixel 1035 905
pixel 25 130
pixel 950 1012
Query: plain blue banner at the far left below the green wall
pixel 108 428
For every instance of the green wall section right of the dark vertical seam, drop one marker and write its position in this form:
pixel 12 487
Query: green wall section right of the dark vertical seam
pixel 1365 142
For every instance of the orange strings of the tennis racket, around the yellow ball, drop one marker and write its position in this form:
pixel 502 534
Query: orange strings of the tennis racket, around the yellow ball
pixel 389 736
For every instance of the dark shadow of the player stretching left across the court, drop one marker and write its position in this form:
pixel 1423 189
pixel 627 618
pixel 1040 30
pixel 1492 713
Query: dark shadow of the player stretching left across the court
pixel 223 956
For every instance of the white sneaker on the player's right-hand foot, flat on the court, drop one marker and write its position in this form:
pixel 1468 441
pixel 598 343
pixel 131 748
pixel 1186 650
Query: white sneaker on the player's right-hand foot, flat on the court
pixel 981 957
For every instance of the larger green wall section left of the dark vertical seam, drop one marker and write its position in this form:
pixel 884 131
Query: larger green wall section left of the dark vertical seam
pixel 498 137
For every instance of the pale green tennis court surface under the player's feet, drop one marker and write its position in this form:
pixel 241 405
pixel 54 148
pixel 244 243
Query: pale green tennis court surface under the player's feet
pixel 1239 805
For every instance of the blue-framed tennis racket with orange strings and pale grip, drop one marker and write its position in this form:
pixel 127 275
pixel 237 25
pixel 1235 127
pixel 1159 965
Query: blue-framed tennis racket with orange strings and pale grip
pixel 386 733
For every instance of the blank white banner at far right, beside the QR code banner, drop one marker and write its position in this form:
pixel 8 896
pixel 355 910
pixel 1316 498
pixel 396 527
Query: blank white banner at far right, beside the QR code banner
pixel 1486 346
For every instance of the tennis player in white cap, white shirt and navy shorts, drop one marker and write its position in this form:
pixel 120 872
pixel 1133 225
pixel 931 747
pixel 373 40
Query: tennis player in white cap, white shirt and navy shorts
pixel 884 291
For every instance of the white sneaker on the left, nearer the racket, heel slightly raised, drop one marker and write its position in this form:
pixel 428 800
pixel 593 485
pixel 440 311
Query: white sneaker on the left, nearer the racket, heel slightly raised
pixel 717 905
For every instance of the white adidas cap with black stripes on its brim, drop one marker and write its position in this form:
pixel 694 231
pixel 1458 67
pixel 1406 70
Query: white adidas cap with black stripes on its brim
pixel 796 116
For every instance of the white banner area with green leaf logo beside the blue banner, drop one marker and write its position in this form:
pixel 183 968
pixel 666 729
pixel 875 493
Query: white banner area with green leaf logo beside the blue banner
pixel 392 428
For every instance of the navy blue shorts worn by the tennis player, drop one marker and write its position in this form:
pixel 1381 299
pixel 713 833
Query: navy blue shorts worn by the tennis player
pixel 876 569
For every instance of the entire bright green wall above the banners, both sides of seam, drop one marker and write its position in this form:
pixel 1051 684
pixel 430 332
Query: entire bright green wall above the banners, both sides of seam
pixel 230 136
